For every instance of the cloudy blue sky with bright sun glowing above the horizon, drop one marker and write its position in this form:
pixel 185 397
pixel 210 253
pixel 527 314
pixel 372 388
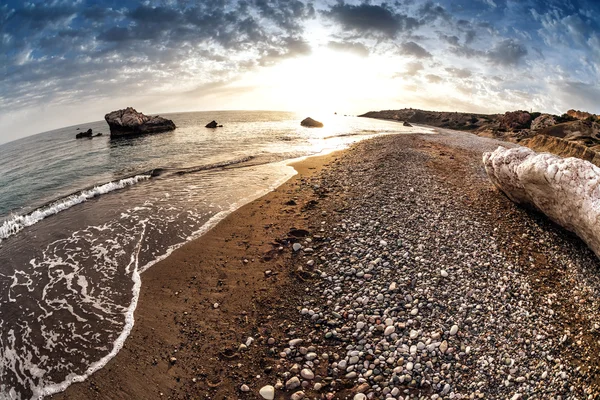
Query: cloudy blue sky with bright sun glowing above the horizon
pixel 69 62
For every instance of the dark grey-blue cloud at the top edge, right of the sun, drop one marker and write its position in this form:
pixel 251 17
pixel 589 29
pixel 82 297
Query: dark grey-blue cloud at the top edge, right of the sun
pixel 368 19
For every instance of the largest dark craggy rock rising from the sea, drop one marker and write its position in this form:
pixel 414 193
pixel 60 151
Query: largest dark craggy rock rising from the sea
pixel 130 122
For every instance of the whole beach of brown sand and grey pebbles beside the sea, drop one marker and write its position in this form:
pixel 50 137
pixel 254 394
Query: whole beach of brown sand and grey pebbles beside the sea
pixel 415 278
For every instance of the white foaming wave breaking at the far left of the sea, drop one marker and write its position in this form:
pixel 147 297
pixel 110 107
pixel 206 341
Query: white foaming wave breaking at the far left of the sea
pixel 17 223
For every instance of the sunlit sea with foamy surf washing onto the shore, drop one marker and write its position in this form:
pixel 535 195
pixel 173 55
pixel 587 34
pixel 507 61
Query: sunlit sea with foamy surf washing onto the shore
pixel 82 219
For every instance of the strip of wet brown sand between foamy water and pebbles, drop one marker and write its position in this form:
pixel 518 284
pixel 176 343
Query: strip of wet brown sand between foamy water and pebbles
pixel 181 345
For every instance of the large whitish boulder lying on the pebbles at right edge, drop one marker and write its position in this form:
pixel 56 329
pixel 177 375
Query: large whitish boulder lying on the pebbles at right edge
pixel 567 190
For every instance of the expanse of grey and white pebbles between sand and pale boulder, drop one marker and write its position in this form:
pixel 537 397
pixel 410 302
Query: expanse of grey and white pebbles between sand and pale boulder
pixel 428 283
